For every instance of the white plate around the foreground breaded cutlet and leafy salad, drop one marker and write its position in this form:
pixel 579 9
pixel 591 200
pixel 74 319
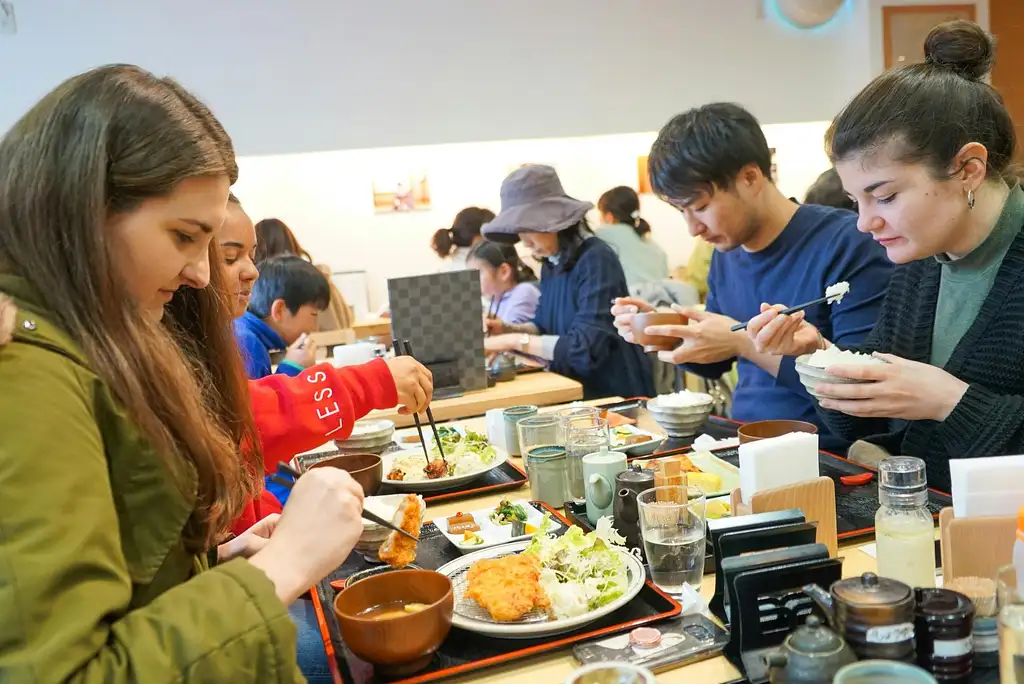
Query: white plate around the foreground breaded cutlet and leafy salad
pixel 456 571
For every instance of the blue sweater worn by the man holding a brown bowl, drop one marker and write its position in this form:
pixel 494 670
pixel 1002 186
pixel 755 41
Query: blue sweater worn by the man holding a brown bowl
pixel 821 246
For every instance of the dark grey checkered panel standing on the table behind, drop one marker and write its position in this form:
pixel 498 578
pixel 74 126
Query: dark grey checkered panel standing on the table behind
pixel 442 316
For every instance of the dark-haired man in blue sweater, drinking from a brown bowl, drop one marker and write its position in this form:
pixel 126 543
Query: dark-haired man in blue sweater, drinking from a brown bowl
pixel 714 165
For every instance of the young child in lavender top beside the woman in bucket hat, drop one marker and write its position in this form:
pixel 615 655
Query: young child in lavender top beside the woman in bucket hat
pixel 509 287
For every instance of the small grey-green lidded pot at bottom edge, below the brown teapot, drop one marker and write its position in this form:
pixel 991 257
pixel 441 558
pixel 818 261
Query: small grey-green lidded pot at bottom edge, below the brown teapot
pixel 813 655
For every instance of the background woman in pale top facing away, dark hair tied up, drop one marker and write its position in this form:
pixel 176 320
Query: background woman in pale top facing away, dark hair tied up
pixel 644 261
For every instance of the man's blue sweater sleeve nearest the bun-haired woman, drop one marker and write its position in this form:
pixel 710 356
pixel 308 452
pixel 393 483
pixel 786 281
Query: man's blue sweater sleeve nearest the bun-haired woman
pixel 864 265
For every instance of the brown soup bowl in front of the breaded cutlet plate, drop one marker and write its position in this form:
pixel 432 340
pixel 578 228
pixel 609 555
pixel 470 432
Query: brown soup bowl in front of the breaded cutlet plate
pixel 404 646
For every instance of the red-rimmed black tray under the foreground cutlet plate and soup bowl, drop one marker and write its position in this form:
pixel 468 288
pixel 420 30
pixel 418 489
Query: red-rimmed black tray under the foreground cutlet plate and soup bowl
pixel 465 652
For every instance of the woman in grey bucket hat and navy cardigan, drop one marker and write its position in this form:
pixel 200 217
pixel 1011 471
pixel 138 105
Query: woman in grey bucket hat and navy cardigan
pixel 574 329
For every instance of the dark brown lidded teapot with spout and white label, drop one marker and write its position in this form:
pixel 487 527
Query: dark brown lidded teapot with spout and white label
pixel 874 615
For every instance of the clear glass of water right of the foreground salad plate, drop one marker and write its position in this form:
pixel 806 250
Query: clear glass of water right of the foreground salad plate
pixel 672 525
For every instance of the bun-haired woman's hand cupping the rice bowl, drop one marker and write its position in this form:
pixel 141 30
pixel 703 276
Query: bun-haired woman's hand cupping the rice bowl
pixel 904 390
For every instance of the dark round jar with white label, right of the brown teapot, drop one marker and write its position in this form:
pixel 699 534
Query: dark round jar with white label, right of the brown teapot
pixel 944 623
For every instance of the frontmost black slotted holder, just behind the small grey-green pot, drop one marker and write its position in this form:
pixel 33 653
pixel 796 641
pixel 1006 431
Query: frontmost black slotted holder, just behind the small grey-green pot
pixel 770 603
